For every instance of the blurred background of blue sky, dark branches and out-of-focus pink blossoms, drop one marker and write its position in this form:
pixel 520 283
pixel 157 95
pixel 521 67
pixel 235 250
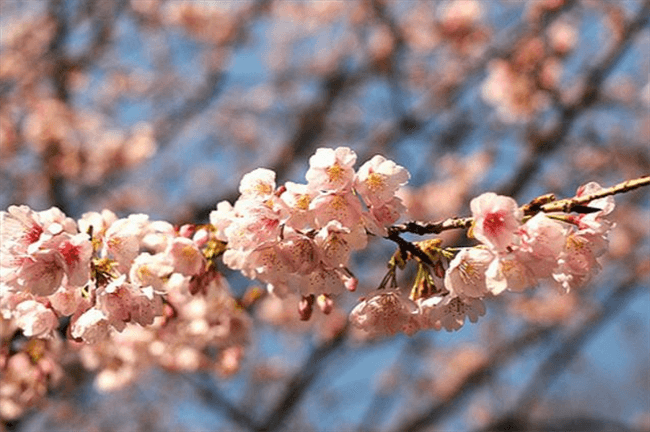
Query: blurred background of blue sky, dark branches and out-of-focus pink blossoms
pixel 159 107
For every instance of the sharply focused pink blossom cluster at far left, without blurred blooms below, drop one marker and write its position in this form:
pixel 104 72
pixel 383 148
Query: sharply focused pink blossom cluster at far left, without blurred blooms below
pixel 103 272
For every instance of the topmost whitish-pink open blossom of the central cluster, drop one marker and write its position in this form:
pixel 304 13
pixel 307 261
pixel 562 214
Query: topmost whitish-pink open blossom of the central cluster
pixel 331 170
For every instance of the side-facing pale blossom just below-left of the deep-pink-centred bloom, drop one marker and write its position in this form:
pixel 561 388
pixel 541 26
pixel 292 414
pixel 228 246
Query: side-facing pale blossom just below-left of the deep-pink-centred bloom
pixel 466 274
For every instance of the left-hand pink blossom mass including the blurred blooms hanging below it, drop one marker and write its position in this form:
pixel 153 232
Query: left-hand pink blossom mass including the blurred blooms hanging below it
pixel 150 286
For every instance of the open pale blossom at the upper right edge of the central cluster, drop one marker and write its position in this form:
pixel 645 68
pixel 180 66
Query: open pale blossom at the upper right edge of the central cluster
pixel 378 179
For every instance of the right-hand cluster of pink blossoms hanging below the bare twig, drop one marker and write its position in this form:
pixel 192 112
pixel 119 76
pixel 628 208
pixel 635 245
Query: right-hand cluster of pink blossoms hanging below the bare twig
pixel 515 253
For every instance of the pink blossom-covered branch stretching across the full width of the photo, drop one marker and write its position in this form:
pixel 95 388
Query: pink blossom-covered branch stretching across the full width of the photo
pixel 135 282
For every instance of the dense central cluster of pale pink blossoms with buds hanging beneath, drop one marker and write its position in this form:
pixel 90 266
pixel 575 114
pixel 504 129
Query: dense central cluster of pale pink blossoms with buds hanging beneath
pixel 299 237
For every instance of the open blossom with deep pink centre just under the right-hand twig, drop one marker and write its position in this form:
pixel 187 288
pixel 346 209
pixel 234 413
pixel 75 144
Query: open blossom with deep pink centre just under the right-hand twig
pixel 496 220
